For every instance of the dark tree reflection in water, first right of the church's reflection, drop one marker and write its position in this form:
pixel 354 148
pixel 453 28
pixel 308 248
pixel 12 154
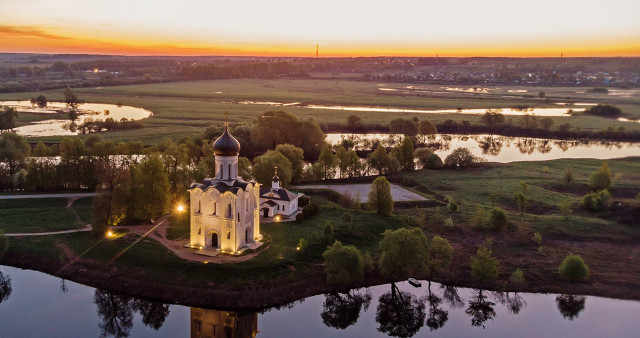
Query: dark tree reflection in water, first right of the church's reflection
pixel 341 310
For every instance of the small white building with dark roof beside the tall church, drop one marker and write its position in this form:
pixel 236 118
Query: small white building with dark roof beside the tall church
pixel 277 200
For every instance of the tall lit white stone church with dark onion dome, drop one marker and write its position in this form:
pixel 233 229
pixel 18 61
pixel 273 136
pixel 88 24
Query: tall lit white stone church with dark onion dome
pixel 225 210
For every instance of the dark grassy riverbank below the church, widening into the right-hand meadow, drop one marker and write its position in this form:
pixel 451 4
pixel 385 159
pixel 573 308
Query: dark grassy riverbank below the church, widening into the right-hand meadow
pixel 607 241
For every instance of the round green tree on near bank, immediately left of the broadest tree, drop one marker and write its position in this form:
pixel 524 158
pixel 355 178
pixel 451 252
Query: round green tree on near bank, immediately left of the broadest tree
pixel 343 264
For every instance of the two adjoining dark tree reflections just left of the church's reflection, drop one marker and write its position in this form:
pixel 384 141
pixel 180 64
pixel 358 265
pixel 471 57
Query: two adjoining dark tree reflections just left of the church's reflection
pixel 116 312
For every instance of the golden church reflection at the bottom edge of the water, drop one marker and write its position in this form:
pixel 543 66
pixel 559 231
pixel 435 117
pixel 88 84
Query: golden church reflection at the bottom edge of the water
pixel 214 323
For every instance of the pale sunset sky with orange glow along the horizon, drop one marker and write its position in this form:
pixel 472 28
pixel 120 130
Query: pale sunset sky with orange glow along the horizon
pixel 341 28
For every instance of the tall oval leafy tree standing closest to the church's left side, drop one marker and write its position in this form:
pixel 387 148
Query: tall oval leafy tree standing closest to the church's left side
pixel 151 189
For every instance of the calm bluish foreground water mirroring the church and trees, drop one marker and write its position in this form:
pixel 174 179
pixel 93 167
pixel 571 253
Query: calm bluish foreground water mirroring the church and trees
pixel 41 305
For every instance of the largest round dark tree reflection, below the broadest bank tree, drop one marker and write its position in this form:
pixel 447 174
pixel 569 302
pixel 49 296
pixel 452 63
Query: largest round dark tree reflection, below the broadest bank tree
pixel 400 313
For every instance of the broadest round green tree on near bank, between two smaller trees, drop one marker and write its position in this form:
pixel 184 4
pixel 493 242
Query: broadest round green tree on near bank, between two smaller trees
pixel 404 252
